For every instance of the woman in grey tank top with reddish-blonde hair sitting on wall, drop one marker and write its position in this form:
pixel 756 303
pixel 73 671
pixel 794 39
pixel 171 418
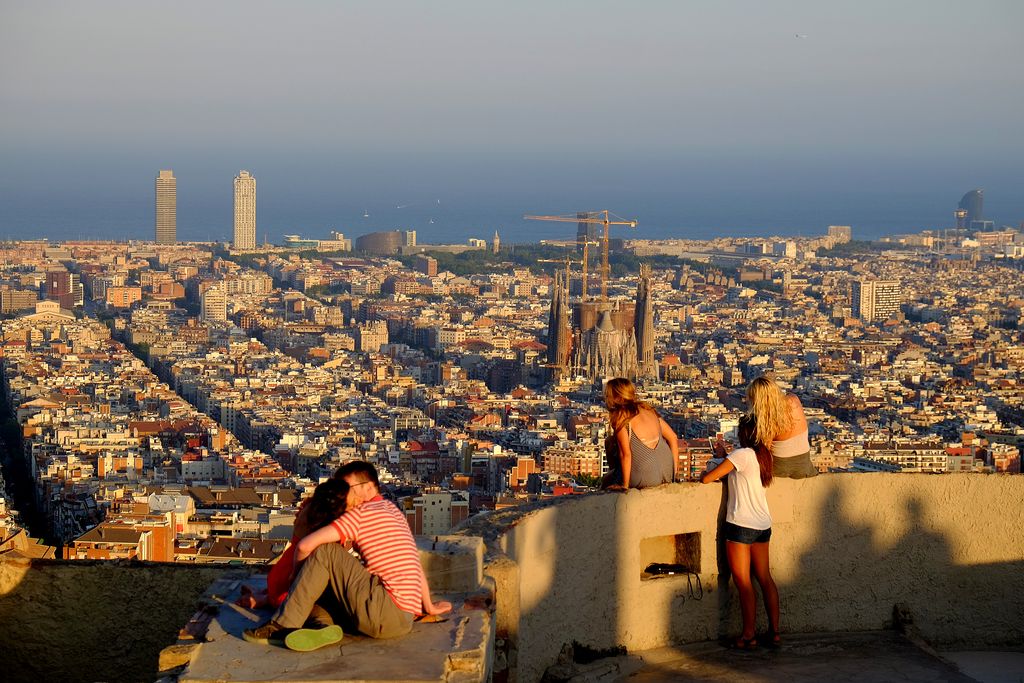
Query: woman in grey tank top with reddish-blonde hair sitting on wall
pixel 649 449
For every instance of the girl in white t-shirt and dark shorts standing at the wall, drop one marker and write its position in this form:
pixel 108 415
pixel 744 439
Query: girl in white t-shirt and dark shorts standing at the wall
pixel 748 527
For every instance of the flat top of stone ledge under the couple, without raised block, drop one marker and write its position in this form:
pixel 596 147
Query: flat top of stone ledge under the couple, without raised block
pixel 456 651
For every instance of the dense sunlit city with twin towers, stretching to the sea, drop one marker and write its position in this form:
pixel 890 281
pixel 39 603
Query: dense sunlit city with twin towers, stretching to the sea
pixel 177 402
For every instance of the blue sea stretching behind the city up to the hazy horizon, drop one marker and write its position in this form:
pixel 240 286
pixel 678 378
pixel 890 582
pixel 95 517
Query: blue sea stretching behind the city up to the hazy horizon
pixel 445 211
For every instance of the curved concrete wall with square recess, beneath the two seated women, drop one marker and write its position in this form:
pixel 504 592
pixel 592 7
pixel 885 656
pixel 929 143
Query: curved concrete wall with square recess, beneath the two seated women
pixel 845 550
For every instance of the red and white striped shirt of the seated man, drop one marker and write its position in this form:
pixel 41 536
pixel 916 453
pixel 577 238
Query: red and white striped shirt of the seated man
pixel 381 535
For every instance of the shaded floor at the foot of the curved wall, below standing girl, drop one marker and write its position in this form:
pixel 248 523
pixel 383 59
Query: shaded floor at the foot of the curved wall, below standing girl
pixel 862 658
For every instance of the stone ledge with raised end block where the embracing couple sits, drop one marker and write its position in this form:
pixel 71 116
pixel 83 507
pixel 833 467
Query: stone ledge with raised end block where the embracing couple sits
pixel 459 650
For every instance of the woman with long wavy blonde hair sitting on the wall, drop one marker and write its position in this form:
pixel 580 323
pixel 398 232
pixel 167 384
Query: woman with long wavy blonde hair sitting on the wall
pixel 783 426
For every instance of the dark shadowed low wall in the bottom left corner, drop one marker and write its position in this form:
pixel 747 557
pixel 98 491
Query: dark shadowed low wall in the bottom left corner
pixel 94 621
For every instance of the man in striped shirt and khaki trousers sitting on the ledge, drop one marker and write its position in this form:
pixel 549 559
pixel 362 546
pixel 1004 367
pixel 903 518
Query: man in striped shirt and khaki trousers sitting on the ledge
pixel 381 600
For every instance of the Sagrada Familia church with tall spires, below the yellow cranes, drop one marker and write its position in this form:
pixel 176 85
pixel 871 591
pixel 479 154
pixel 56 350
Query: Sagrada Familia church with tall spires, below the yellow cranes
pixel 601 340
